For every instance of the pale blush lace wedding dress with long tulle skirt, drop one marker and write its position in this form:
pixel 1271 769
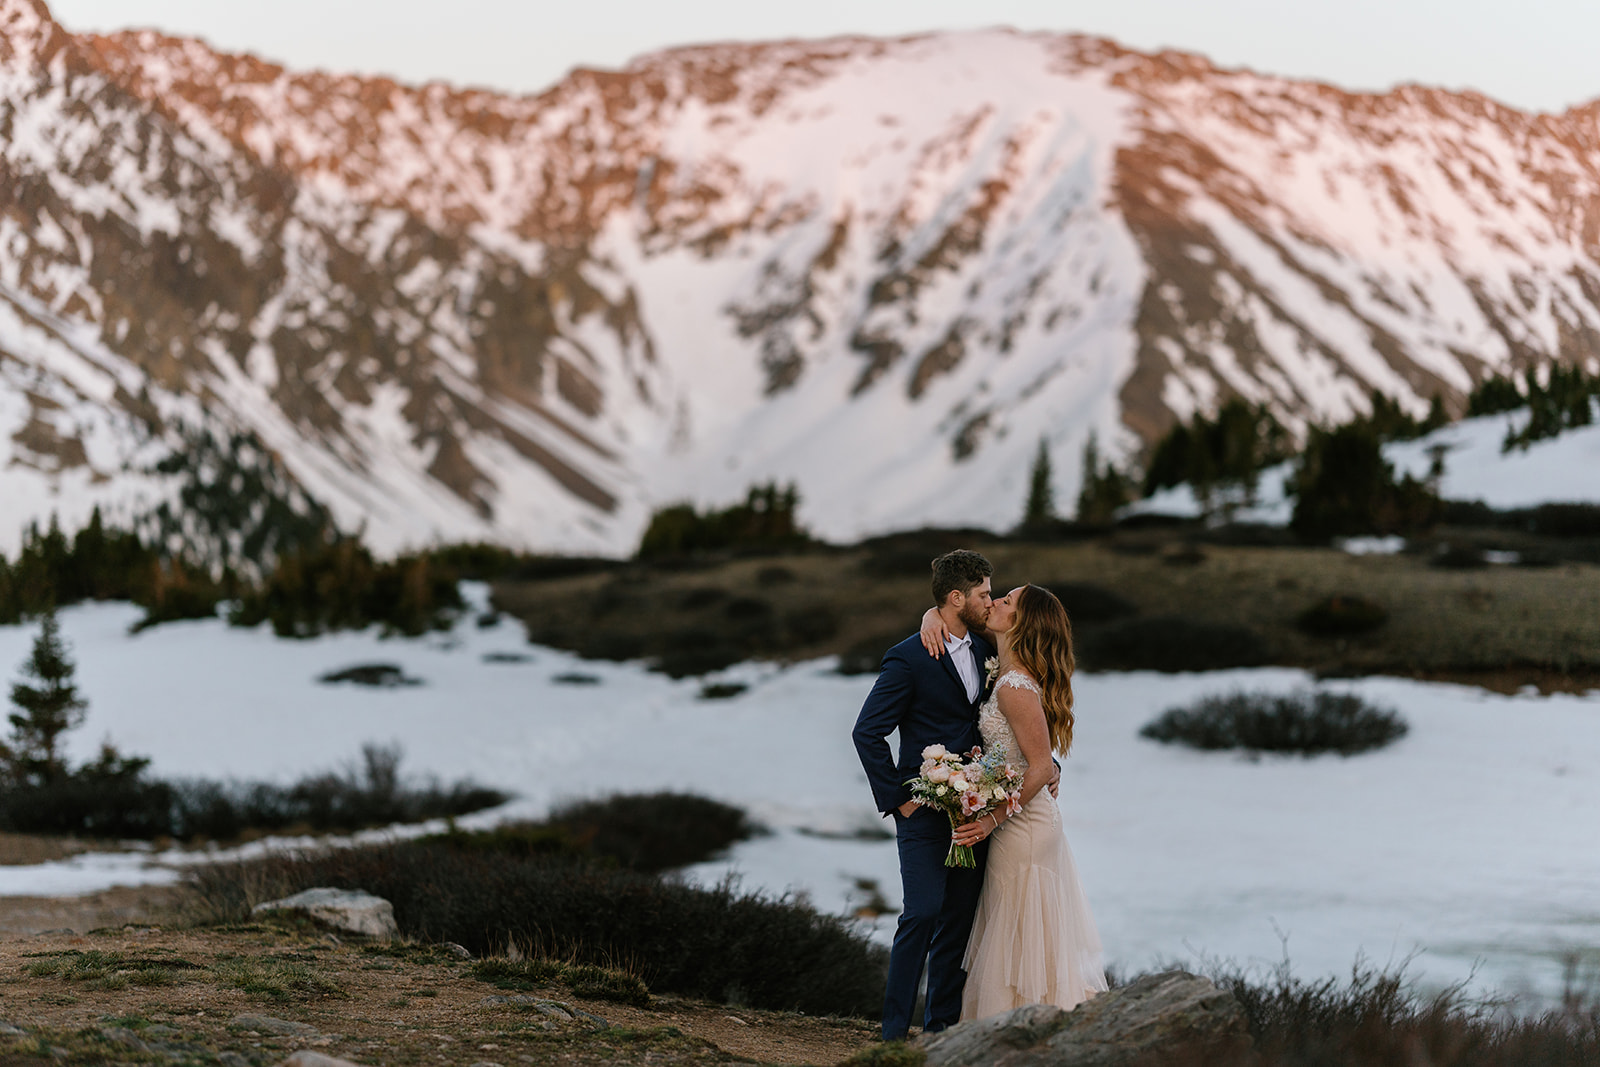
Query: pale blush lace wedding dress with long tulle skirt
pixel 1034 941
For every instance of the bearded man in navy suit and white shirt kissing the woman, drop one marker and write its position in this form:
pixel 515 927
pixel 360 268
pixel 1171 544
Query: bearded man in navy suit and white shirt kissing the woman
pixel 929 701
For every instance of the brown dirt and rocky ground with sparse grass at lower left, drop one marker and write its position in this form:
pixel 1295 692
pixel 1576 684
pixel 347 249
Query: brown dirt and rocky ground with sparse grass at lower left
pixel 257 994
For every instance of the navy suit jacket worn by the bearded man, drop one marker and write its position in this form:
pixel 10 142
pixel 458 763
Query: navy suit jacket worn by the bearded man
pixel 926 701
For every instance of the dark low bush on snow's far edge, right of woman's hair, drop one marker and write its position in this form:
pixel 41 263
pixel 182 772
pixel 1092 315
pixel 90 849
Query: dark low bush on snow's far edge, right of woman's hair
pixel 1170 644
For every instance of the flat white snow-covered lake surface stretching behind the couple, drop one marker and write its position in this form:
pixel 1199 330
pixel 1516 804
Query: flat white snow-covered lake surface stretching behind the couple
pixel 1474 842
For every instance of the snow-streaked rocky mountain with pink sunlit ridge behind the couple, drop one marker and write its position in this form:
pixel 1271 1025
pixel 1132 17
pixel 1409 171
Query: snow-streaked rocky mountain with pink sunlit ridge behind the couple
pixel 882 270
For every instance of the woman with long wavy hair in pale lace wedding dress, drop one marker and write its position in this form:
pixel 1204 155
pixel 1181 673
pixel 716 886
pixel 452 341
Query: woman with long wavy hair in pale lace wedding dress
pixel 1034 941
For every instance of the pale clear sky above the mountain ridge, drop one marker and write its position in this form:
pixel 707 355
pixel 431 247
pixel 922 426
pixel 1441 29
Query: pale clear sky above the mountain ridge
pixel 1535 54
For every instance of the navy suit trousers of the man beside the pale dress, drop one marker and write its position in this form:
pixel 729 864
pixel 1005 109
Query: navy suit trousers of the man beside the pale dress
pixel 934 927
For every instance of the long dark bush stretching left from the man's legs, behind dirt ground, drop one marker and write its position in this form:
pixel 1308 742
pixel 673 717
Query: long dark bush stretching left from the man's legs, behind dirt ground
pixel 722 945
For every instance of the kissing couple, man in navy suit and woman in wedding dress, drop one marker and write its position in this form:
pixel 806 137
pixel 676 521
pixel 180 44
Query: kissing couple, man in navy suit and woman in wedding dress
pixel 1017 929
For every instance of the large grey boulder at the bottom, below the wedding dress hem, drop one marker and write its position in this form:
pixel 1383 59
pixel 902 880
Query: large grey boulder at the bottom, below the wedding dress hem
pixel 1161 1018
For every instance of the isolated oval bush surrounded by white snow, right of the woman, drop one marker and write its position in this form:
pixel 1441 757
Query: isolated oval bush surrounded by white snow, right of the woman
pixel 1303 724
